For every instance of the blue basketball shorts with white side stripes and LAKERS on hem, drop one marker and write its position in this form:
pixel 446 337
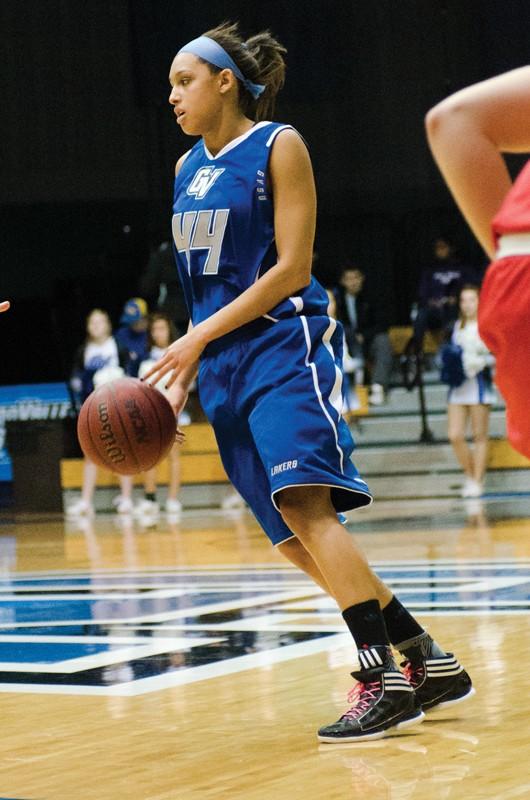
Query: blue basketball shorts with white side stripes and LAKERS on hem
pixel 273 394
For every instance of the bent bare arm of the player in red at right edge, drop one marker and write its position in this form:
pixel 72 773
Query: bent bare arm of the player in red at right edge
pixel 468 132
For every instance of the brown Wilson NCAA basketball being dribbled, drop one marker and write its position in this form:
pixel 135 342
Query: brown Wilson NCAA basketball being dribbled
pixel 126 426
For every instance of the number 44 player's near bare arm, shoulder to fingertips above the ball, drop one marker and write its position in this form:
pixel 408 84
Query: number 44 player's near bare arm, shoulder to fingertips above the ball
pixel 293 188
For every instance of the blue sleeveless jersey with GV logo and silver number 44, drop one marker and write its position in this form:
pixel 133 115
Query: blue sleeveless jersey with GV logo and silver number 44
pixel 223 226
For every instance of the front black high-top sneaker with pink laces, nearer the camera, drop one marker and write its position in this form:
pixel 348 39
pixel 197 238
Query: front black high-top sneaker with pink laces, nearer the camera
pixel 381 700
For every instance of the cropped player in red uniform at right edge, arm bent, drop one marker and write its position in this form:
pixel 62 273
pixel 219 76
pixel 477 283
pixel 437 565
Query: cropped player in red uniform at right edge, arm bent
pixel 468 133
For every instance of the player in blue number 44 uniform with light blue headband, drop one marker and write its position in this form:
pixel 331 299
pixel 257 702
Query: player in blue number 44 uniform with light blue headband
pixel 269 360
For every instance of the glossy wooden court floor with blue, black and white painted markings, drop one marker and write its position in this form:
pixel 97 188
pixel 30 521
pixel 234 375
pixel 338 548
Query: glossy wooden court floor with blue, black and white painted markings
pixel 187 661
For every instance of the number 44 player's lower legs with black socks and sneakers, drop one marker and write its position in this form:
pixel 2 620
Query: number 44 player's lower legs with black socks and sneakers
pixel 381 700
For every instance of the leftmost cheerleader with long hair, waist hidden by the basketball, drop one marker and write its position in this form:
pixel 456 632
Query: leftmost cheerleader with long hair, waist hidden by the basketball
pixel 96 362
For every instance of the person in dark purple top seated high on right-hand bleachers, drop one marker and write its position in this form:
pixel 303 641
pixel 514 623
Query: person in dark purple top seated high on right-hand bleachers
pixel 440 285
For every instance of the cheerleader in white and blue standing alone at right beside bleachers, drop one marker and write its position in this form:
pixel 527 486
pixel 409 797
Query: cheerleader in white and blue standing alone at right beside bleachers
pixel 471 398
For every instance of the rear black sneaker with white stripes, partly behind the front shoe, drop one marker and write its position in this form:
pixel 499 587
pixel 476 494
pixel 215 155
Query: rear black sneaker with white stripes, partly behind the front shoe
pixel 439 681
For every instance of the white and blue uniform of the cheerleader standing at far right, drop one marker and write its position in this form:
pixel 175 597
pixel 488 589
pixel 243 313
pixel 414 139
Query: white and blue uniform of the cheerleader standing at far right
pixel 477 389
